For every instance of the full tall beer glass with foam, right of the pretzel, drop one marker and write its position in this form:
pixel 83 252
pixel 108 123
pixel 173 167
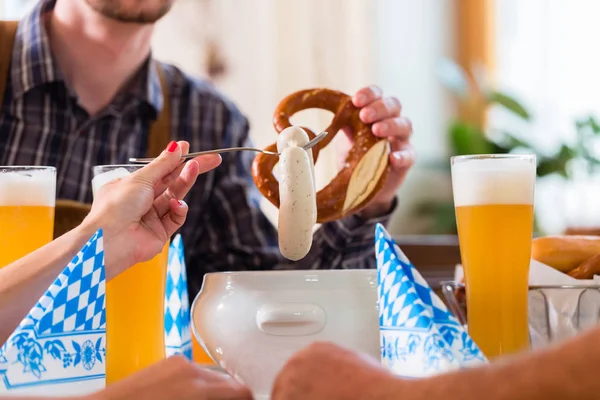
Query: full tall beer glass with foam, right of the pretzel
pixel 493 199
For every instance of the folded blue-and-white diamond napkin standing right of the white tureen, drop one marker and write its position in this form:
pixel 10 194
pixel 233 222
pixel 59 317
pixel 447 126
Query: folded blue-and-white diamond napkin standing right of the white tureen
pixel 419 336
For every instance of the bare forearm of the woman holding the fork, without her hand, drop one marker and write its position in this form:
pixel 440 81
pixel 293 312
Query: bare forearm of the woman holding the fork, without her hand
pixel 23 282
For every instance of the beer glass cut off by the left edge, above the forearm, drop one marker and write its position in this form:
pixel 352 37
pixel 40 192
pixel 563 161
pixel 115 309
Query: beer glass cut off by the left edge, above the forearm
pixel 27 200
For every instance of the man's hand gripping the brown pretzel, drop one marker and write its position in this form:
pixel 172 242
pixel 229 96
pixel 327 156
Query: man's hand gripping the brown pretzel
pixel 384 114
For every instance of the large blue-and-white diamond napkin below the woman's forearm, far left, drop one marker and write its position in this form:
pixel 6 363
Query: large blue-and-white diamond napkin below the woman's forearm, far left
pixel 62 338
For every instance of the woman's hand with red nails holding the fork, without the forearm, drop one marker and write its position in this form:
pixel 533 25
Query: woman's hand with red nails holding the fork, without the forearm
pixel 139 213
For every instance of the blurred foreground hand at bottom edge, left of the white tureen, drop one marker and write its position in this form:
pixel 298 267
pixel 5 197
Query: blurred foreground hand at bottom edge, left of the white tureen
pixel 175 378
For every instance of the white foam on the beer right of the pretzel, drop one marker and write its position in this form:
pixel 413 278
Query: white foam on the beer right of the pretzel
pixel 493 181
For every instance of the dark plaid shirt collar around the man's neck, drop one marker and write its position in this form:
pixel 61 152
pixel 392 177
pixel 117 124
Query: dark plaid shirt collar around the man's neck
pixel 33 64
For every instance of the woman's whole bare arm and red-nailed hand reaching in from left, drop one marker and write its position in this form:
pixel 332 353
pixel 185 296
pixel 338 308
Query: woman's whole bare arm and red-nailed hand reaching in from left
pixel 138 214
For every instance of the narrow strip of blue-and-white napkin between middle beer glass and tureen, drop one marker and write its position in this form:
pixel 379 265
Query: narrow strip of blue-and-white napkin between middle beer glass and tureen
pixel 177 309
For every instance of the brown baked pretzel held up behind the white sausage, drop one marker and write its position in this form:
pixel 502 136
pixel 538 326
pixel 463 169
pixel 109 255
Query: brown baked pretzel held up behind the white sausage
pixel 338 199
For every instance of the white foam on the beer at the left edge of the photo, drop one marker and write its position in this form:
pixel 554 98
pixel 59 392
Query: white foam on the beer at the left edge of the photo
pixel 28 188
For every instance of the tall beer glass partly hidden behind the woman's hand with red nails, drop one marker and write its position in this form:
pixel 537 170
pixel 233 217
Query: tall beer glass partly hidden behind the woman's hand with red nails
pixel 134 305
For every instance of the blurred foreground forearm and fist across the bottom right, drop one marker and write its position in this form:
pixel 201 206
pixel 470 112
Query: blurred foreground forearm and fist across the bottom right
pixel 324 371
